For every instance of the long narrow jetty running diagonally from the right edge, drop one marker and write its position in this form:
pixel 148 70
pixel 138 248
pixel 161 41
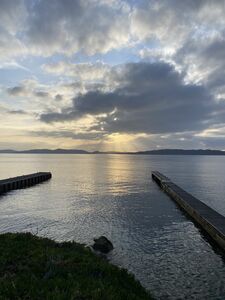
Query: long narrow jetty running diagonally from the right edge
pixel 208 219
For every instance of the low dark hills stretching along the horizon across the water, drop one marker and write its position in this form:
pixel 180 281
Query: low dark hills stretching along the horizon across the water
pixel 150 152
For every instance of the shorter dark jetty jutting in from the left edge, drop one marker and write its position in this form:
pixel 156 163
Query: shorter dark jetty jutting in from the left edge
pixel 23 181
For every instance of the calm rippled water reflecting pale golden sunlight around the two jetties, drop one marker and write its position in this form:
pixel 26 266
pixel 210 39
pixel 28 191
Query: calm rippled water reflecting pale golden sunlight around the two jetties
pixel 113 195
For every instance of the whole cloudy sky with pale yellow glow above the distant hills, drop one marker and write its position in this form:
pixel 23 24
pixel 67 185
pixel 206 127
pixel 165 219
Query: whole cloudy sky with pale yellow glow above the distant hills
pixel 112 75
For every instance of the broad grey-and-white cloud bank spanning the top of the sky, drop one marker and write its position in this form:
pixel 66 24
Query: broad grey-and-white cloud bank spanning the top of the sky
pixel 91 27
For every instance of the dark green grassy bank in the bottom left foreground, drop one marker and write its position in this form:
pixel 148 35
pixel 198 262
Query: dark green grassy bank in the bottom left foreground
pixel 39 268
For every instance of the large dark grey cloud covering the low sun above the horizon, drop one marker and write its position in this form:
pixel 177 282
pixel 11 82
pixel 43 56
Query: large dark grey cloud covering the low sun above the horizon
pixel 150 98
